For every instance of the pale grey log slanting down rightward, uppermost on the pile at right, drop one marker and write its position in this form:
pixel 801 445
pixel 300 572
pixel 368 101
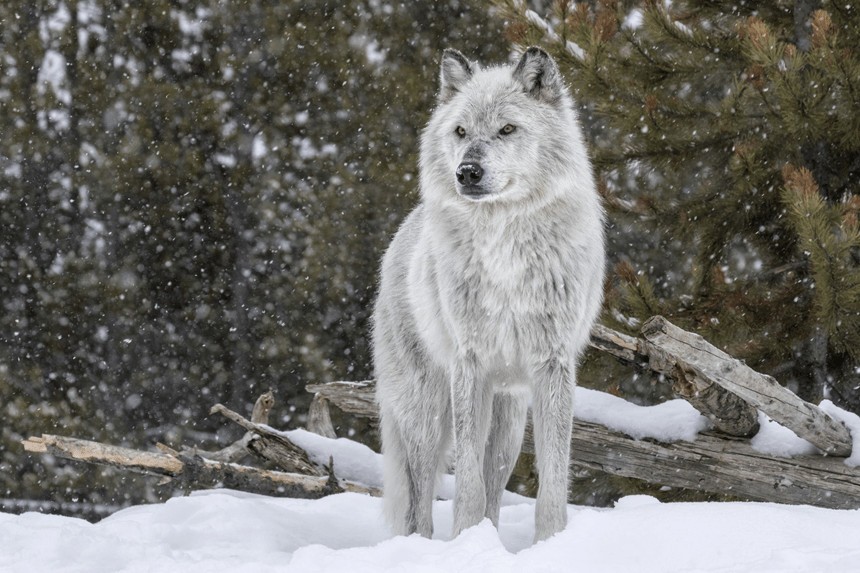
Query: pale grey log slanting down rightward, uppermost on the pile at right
pixel 671 349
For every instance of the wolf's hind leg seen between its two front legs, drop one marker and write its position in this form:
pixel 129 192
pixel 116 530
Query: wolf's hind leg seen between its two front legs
pixel 503 448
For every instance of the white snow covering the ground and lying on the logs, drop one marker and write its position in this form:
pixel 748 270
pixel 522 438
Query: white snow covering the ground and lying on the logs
pixel 225 530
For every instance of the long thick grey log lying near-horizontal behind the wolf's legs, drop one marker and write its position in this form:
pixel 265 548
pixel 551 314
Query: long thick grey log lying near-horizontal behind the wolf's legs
pixel 711 463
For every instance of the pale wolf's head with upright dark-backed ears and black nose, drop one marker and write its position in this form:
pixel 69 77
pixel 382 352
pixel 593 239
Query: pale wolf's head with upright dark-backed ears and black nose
pixel 500 134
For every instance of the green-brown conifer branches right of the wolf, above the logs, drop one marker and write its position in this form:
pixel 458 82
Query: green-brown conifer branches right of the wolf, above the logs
pixel 727 139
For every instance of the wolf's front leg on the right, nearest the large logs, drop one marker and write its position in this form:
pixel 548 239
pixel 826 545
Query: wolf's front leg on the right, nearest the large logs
pixel 552 412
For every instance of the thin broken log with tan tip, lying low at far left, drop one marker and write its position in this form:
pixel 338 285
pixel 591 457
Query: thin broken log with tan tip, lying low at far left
pixel 194 472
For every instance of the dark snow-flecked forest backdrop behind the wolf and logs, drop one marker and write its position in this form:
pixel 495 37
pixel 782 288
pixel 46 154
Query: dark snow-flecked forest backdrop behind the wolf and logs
pixel 195 195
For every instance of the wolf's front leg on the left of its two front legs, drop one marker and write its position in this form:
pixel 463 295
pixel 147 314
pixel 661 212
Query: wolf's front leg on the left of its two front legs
pixel 470 404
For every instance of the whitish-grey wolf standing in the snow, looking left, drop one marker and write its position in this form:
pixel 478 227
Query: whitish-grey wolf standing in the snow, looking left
pixel 487 295
